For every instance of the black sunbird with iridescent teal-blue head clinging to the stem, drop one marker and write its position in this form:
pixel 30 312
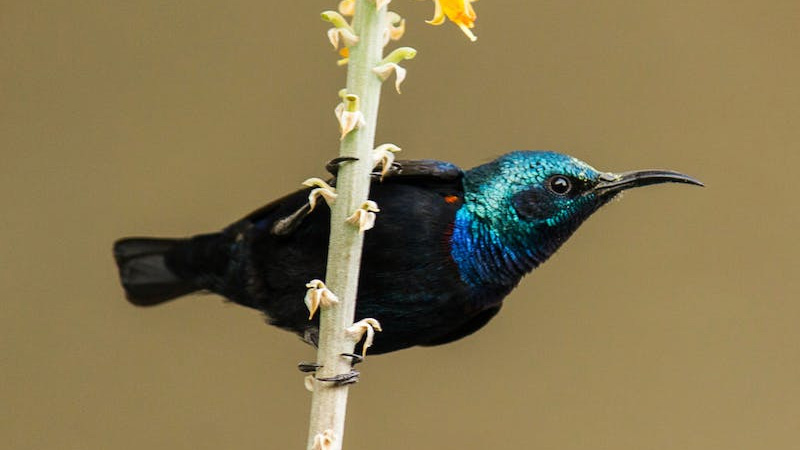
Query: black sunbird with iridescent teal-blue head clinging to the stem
pixel 447 248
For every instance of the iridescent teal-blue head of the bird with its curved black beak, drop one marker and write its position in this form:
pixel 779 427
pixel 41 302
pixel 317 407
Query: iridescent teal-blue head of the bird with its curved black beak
pixel 530 202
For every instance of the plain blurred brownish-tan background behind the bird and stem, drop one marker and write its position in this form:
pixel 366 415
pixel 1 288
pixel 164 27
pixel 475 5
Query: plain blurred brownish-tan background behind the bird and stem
pixel 670 320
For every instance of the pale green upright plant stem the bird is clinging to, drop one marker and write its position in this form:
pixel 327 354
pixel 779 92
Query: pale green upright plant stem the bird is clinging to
pixel 329 402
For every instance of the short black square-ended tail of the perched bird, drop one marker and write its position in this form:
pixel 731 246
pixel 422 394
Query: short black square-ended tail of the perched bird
pixel 155 270
